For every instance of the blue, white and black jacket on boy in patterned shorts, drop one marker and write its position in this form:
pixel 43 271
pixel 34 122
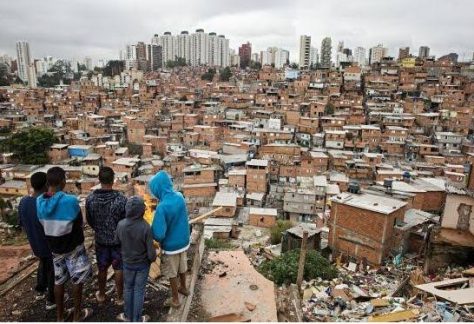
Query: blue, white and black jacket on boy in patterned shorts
pixel 61 218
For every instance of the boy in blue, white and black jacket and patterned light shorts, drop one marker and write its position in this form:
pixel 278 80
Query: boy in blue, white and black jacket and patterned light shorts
pixel 61 217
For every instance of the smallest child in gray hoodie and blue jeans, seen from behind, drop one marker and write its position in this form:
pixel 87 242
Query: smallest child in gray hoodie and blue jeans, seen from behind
pixel 138 252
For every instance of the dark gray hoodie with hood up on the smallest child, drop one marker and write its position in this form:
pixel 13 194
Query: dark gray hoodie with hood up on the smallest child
pixel 134 234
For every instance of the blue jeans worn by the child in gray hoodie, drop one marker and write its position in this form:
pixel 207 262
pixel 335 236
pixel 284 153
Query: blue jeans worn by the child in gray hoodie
pixel 135 277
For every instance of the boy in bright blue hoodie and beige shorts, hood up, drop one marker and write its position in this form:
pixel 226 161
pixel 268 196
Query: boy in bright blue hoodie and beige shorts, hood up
pixel 170 228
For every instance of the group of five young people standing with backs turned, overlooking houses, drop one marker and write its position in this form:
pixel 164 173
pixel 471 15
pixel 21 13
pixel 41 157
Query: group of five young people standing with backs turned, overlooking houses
pixel 53 223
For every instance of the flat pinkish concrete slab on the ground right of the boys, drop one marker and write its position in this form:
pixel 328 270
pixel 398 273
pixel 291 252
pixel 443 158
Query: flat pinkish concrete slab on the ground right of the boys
pixel 221 295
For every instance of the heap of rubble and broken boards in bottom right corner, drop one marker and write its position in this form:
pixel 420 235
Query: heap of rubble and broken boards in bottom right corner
pixel 380 295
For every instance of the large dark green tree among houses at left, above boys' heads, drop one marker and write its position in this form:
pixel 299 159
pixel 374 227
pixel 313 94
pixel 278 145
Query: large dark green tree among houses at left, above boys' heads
pixel 31 146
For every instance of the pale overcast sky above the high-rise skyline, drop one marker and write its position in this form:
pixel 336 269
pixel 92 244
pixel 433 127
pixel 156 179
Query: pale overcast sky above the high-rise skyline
pixel 101 28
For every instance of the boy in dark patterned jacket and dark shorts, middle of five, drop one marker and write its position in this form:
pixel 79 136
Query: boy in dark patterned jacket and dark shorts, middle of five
pixel 105 207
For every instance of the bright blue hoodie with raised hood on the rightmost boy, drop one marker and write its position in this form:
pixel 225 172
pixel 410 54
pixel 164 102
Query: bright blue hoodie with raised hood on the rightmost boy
pixel 170 224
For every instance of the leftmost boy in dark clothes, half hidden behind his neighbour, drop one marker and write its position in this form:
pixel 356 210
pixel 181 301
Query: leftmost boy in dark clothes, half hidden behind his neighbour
pixel 34 232
